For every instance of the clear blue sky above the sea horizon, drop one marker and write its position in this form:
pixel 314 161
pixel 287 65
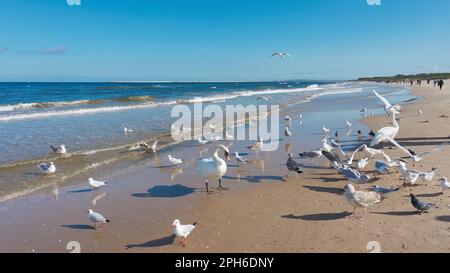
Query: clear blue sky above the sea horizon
pixel 220 39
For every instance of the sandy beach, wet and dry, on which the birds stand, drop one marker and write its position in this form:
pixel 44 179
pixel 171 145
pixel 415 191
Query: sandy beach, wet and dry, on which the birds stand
pixel 260 212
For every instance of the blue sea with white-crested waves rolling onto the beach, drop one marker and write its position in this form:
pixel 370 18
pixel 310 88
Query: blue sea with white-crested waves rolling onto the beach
pixel 93 132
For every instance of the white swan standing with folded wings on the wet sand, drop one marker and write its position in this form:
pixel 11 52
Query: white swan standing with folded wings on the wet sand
pixel 213 168
